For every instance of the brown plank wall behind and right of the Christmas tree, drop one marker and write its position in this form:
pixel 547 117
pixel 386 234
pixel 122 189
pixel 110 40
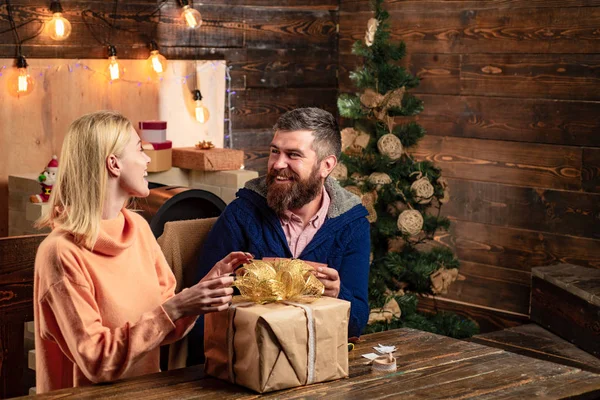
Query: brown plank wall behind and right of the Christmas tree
pixel 511 91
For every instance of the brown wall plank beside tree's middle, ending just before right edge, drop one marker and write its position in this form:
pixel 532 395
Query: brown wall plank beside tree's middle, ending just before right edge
pixel 524 164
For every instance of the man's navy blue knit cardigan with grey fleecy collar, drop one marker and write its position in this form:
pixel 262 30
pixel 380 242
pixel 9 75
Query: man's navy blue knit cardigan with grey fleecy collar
pixel 342 242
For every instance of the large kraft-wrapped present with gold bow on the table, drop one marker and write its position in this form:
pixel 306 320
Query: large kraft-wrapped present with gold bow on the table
pixel 280 333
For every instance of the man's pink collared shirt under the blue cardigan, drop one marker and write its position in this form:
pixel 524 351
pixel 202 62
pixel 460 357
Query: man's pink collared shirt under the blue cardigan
pixel 299 237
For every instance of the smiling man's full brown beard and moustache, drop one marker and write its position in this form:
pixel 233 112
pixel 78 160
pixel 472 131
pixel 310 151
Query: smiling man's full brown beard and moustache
pixel 294 194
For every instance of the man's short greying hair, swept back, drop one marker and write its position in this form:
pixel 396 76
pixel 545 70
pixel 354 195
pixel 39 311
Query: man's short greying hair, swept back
pixel 326 132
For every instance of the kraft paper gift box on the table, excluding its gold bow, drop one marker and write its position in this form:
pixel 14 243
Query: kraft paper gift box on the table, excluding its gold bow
pixel 278 345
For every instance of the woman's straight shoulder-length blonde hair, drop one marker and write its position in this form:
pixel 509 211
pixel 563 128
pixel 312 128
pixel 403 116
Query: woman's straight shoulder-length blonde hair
pixel 78 195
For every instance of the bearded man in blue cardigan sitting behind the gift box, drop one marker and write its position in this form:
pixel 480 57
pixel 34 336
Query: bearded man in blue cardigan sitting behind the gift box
pixel 298 211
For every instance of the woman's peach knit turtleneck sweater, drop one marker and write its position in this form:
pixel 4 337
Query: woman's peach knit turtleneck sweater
pixel 98 313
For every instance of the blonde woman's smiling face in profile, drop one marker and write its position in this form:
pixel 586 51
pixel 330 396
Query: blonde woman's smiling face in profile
pixel 135 162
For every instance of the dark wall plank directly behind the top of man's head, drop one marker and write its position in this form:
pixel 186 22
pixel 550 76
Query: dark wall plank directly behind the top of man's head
pixel 260 108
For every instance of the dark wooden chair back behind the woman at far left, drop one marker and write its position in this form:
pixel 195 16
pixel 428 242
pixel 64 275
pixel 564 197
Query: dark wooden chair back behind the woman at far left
pixel 17 257
